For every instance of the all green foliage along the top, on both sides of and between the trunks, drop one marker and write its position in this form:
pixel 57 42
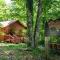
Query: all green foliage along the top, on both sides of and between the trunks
pixel 18 9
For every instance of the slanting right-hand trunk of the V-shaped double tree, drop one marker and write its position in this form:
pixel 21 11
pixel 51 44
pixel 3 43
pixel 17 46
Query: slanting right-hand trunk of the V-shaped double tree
pixel 37 26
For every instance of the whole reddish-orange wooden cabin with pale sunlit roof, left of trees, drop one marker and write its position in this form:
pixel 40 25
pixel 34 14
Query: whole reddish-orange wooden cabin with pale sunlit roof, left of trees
pixel 12 31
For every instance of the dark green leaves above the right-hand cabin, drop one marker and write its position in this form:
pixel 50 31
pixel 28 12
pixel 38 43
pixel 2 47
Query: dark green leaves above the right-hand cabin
pixel 52 9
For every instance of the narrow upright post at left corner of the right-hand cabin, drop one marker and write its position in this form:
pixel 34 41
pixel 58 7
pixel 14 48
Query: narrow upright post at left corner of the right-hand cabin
pixel 47 38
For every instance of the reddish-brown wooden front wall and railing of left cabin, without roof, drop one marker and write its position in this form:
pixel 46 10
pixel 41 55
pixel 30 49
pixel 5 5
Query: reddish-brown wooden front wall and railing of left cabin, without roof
pixel 16 27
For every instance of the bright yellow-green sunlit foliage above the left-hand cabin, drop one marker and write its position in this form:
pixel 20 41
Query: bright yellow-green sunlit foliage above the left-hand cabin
pixel 14 11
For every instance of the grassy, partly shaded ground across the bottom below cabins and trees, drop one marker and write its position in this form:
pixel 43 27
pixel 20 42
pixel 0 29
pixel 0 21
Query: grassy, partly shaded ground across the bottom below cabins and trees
pixel 20 52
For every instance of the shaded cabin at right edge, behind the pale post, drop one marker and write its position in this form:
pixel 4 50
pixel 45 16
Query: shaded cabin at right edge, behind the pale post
pixel 52 29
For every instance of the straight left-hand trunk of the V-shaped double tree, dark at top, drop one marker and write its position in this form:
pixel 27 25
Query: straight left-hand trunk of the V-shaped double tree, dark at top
pixel 29 6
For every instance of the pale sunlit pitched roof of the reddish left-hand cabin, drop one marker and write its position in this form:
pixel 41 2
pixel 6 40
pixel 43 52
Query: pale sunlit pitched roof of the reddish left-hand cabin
pixel 7 23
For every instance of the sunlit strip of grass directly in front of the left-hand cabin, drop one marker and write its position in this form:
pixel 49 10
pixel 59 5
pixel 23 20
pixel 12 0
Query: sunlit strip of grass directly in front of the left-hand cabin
pixel 7 46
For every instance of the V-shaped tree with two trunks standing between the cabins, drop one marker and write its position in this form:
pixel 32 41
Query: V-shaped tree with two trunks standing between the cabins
pixel 36 32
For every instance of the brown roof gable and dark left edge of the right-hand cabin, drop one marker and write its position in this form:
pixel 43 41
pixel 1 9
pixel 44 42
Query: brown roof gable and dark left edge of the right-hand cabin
pixel 52 24
